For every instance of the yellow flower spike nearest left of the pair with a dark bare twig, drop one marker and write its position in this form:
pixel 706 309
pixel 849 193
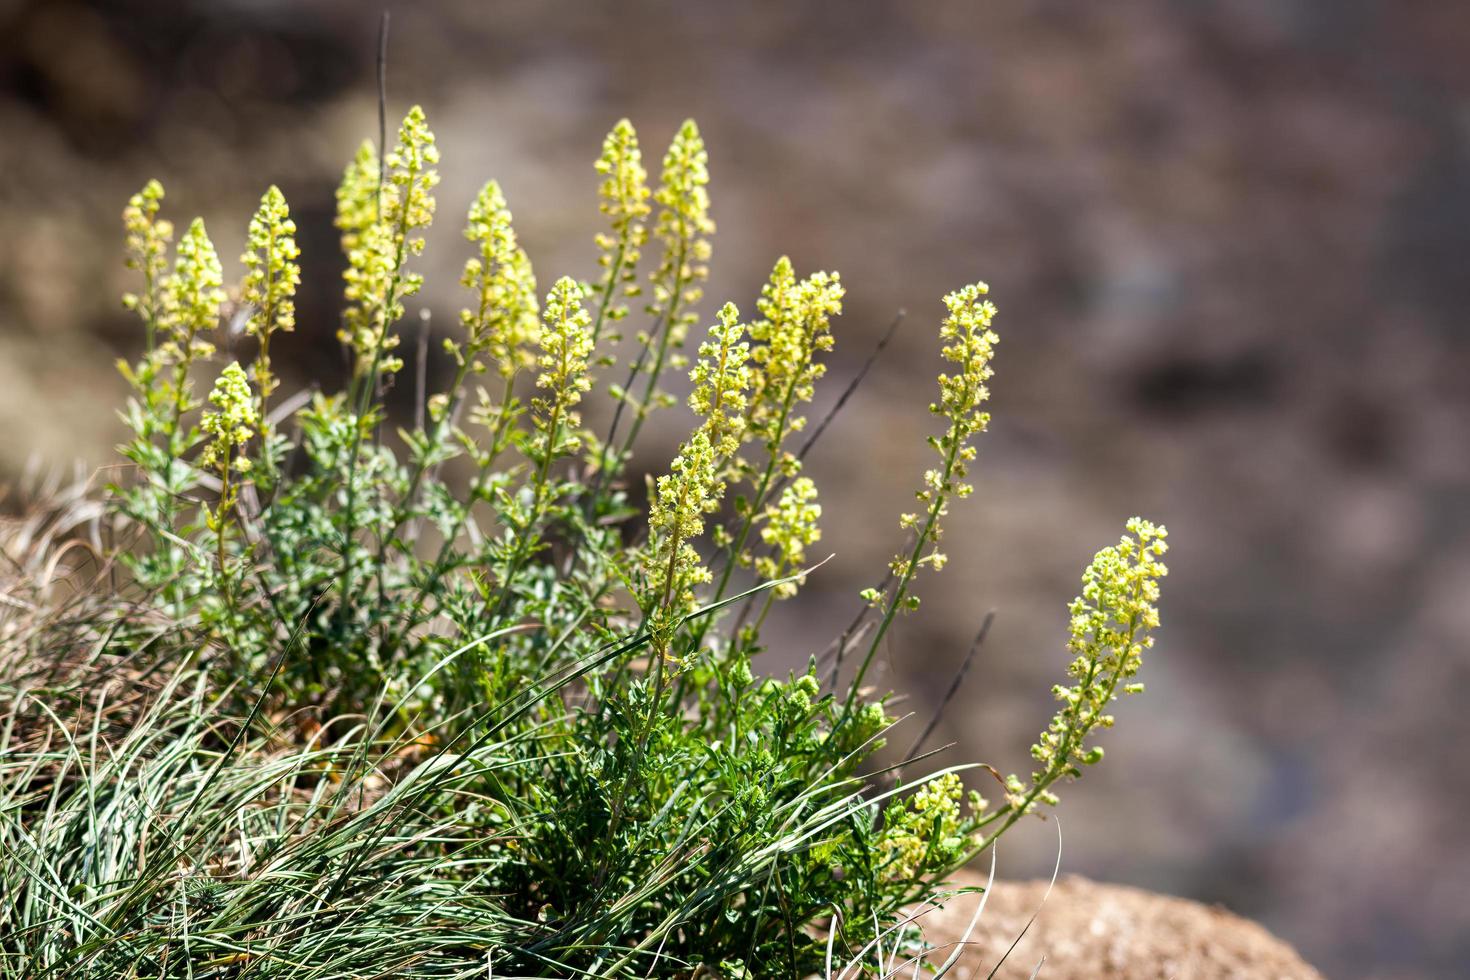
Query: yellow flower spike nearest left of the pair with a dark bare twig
pixel 271 280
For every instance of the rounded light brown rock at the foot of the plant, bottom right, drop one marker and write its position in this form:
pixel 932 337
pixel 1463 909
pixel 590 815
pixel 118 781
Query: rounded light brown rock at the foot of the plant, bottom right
pixel 1108 932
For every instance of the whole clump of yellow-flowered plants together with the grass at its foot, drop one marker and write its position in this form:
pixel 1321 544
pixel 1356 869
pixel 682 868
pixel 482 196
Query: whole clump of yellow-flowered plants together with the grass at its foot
pixel 342 705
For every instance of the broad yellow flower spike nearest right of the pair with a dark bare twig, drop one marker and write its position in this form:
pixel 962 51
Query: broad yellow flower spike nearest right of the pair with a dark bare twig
pixel 506 318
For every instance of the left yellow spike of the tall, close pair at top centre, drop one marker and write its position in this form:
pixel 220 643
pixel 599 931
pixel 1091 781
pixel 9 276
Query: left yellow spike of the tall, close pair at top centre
pixel 624 199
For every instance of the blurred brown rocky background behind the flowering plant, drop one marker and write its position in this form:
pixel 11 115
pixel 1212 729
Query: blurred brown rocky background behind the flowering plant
pixel 1230 243
